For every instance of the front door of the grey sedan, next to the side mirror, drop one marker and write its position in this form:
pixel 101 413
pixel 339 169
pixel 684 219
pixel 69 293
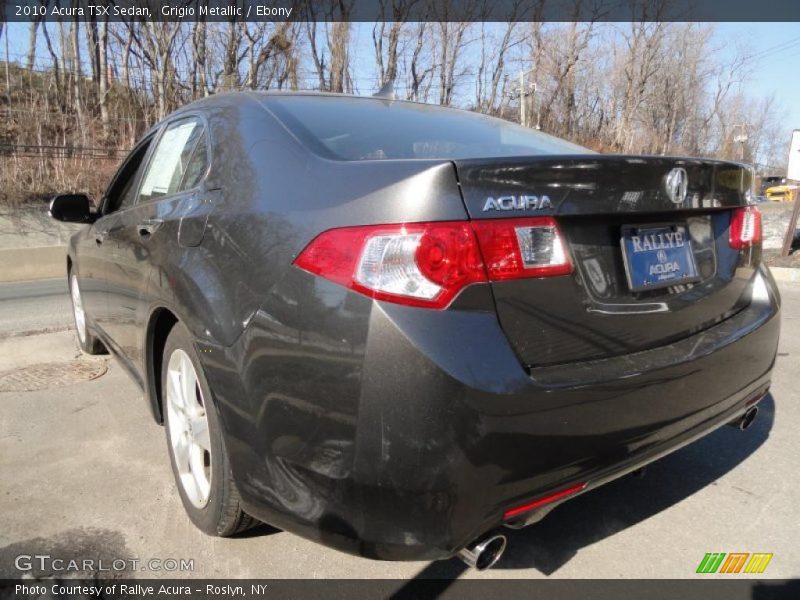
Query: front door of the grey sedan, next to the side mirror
pixel 96 255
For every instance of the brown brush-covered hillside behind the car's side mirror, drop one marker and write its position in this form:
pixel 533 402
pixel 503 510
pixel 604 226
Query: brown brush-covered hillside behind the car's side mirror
pixel 49 146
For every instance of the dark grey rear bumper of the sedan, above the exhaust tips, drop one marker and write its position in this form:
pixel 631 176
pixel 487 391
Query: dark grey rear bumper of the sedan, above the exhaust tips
pixel 415 443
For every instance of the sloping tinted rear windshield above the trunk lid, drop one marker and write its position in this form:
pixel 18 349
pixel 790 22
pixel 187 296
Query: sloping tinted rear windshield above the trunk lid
pixel 364 128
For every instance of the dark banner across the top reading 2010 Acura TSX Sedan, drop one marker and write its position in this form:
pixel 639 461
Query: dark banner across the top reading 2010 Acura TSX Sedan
pixel 401 10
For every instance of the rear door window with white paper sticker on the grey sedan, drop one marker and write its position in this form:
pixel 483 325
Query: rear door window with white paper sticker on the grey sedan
pixel 170 161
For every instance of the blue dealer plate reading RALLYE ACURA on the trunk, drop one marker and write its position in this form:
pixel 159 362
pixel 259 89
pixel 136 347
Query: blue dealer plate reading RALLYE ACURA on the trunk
pixel 657 256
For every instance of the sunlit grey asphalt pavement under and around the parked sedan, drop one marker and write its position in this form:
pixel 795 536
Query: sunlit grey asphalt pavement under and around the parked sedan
pixel 84 473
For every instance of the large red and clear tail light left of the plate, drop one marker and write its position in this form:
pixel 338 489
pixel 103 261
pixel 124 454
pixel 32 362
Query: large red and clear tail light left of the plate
pixel 428 264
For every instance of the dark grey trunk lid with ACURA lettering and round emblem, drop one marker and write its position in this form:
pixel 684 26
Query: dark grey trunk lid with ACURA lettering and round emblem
pixel 601 309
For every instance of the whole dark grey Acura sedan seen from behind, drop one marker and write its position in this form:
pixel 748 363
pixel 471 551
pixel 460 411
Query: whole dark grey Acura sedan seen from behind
pixel 395 328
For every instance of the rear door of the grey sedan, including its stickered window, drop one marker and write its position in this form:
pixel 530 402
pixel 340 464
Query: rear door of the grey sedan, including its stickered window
pixel 142 237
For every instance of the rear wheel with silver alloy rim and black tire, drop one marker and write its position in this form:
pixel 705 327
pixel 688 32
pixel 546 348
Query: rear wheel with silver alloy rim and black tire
pixel 196 449
